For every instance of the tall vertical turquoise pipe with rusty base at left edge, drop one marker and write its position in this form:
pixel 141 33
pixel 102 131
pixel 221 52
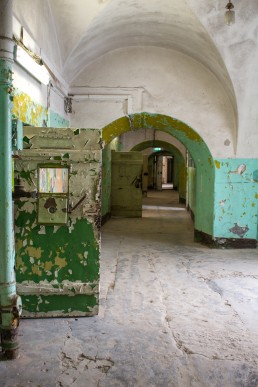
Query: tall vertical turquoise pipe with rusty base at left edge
pixel 9 301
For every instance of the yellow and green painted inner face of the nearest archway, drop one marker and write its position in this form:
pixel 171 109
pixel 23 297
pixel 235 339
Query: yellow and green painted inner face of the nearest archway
pixel 204 190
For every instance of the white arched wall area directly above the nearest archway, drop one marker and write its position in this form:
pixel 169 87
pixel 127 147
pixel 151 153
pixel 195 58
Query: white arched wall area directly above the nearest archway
pixel 171 83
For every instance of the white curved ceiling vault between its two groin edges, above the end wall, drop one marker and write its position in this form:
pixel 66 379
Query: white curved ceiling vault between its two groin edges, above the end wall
pixel 87 29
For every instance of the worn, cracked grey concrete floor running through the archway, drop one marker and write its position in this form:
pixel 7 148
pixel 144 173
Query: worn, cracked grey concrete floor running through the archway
pixel 172 313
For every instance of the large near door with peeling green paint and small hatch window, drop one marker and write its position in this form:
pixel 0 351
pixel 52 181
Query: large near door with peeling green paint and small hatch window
pixel 57 226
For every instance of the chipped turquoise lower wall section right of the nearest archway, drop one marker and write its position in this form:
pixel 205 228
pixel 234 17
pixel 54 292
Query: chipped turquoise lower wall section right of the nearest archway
pixel 236 198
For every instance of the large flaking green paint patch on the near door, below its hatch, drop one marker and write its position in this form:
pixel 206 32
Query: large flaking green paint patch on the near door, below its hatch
pixel 66 245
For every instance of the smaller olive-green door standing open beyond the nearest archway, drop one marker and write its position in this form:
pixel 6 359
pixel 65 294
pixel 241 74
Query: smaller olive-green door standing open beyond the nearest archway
pixel 126 184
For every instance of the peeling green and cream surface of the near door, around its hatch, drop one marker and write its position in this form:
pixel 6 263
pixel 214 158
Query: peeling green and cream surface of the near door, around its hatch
pixel 59 256
